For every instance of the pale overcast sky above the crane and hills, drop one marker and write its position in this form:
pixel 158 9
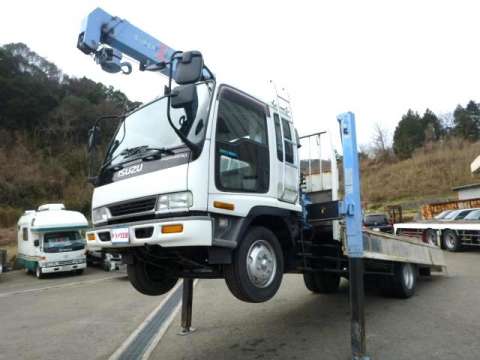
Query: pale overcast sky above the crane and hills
pixel 376 58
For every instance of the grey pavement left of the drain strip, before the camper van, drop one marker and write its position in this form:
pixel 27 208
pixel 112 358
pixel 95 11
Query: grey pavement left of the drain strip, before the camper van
pixel 68 317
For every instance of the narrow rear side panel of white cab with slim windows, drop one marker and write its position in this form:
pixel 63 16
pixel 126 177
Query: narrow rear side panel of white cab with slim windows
pixel 287 155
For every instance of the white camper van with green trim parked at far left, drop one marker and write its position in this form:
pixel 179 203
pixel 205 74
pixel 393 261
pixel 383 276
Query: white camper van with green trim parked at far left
pixel 50 240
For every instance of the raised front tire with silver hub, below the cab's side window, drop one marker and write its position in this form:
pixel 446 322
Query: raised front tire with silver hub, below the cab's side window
pixel 258 279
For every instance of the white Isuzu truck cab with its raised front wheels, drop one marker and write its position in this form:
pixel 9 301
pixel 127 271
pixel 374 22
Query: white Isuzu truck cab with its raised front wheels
pixel 215 195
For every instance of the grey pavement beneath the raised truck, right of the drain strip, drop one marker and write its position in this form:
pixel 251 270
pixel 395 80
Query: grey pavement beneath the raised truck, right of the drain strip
pixel 442 321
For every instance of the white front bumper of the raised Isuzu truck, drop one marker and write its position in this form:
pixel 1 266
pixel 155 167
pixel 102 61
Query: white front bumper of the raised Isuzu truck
pixel 196 231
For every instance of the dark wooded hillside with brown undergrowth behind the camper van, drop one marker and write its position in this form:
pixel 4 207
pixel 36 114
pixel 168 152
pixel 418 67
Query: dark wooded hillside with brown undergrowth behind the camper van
pixel 44 119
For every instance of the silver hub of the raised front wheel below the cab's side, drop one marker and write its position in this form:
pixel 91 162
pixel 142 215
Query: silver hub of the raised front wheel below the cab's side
pixel 261 263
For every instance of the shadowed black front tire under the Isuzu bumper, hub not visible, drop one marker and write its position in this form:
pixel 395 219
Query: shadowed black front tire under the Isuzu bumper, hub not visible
pixel 148 279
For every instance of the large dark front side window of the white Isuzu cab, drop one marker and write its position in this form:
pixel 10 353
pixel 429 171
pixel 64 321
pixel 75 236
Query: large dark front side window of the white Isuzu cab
pixel 241 159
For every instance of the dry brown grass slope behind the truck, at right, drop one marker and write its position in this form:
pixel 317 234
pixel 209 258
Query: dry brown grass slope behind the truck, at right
pixel 428 176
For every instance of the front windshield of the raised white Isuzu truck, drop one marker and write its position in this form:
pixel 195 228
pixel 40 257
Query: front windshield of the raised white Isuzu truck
pixel 148 127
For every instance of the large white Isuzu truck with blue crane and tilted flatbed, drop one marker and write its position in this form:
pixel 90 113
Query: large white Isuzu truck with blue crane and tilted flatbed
pixel 204 182
